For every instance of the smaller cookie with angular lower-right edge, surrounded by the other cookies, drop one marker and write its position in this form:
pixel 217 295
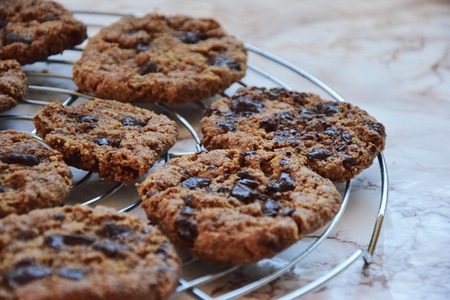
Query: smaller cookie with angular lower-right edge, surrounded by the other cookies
pixel 118 140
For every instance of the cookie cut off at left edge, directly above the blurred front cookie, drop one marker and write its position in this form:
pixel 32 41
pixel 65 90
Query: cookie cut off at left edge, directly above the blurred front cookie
pixel 31 175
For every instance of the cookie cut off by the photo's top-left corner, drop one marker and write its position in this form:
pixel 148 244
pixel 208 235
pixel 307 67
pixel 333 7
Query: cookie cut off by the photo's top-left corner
pixel 32 30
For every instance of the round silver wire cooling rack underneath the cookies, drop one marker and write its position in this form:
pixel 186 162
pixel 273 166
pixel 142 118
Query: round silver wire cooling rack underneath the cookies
pixel 51 81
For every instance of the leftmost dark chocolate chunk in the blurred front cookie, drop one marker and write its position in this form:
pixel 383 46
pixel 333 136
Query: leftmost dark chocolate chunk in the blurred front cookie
pixel 25 274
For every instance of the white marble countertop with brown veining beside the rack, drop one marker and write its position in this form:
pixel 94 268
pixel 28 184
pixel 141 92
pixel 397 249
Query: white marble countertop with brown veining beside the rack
pixel 391 58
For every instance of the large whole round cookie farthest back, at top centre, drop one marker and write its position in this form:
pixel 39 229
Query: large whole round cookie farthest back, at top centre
pixel 160 58
